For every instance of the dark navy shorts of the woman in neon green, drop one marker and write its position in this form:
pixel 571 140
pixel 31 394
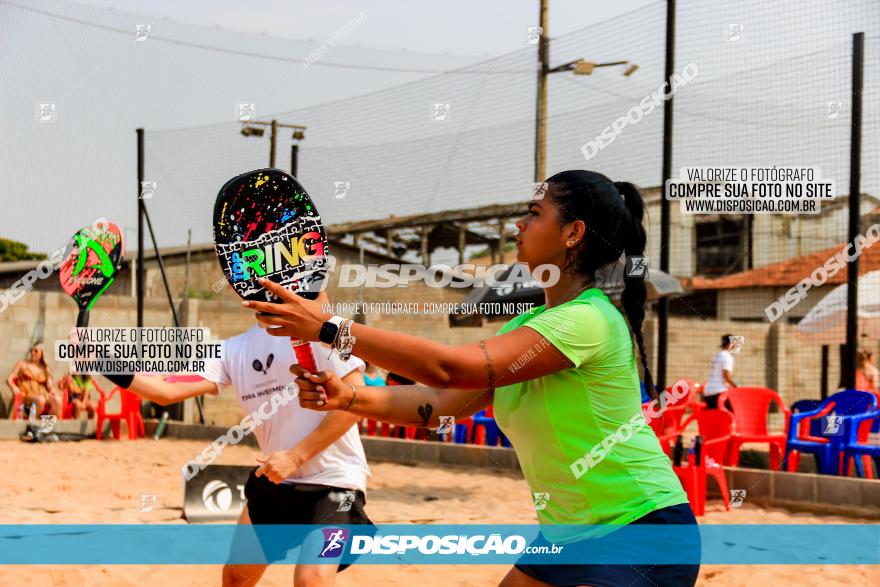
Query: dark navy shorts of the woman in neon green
pixel 627 575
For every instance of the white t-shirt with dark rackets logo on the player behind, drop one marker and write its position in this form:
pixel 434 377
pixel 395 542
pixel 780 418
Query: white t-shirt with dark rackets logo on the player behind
pixel 257 364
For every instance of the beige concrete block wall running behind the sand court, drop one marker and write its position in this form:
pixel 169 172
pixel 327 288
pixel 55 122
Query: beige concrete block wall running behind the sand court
pixel 771 356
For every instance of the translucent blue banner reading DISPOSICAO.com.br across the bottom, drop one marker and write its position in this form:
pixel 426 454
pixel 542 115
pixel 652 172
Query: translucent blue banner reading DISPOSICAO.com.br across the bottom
pixel 729 544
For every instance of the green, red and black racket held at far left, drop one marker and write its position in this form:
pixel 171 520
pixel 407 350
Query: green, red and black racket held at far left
pixel 92 260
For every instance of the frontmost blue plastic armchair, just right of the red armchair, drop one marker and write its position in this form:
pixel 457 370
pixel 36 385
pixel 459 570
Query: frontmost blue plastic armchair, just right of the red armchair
pixel 848 404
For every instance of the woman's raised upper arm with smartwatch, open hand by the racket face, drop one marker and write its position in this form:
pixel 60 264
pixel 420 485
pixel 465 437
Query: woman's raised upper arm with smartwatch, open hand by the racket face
pixel 487 364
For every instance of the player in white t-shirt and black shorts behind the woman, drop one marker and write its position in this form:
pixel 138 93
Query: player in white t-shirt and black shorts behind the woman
pixel 314 470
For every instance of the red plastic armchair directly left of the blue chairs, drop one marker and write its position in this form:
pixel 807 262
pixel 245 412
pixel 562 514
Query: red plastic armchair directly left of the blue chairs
pixel 751 406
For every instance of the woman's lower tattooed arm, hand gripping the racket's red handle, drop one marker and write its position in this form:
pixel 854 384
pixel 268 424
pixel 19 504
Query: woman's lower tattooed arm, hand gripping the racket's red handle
pixel 405 405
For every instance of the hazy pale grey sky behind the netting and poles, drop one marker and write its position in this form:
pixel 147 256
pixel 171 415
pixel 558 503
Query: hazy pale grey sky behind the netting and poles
pixel 760 100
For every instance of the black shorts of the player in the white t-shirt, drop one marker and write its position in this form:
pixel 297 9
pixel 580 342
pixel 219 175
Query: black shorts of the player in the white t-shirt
pixel 299 504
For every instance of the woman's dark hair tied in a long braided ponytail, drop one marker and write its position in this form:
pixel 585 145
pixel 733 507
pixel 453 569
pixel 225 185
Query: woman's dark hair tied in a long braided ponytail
pixel 613 214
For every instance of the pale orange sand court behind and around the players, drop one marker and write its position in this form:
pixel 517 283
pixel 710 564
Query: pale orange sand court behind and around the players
pixel 92 482
